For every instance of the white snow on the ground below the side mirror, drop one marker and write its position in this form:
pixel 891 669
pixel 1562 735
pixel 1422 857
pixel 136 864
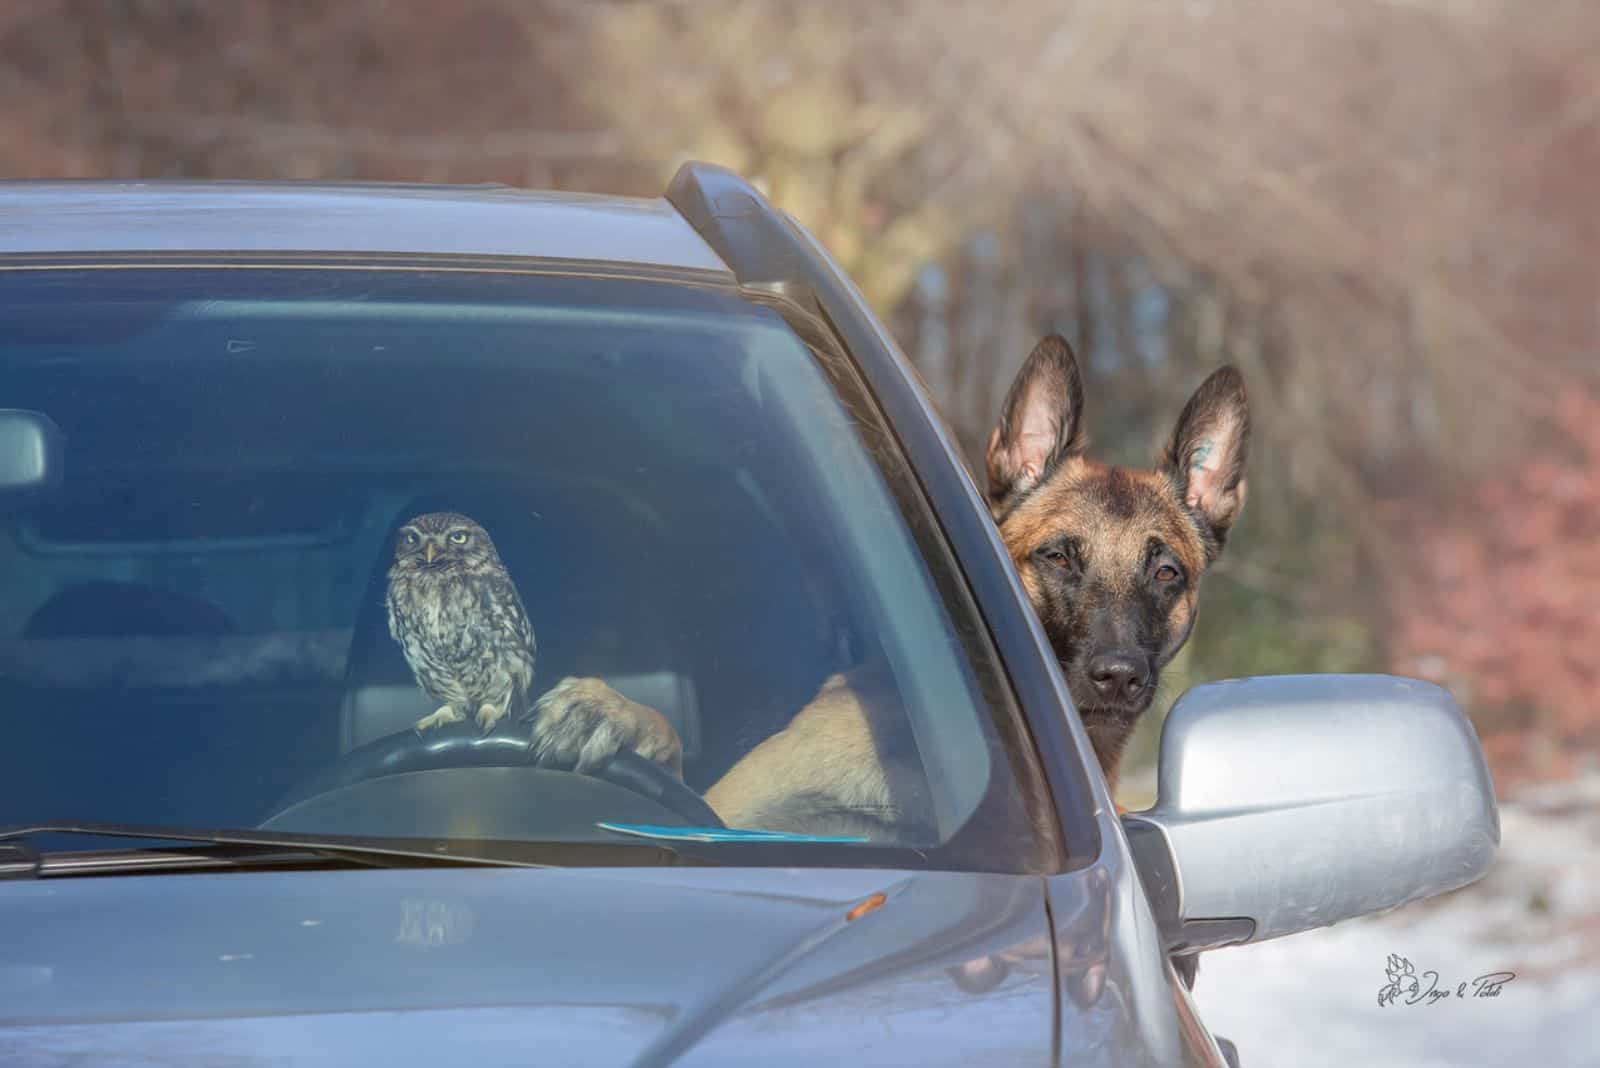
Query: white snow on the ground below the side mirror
pixel 1311 1000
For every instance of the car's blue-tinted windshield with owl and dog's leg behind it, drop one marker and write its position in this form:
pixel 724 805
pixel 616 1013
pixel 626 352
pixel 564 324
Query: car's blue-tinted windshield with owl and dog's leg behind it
pixel 694 504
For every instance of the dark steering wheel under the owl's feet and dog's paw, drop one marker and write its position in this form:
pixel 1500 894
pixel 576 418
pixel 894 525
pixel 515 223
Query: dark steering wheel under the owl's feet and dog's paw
pixel 462 746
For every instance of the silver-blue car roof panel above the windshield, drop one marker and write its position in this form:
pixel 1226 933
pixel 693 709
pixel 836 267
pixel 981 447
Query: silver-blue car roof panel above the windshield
pixel 76 218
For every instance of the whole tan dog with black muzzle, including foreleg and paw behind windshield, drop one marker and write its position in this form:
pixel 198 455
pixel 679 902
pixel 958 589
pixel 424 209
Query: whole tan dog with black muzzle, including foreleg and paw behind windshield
pixel 1111 560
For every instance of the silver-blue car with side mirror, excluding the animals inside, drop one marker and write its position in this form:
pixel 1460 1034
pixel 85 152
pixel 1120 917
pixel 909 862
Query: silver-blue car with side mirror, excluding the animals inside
pixel 716 484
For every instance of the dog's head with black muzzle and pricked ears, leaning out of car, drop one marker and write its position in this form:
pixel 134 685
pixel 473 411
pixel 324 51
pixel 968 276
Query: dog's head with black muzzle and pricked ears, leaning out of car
pixel 1111 557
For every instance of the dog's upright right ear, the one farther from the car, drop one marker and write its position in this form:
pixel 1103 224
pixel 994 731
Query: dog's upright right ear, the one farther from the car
pixel 1207 453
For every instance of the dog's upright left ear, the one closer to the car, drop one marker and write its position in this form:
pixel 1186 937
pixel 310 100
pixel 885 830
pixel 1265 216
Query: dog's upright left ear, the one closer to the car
pixel 1042 421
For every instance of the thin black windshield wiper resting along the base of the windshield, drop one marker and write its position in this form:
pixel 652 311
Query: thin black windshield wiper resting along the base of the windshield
pixel 260 850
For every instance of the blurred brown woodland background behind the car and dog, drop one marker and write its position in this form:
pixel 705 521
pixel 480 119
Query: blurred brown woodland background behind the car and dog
pixel 1380 210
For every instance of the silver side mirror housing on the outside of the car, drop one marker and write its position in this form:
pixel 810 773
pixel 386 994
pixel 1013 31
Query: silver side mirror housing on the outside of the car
pixel 1289 803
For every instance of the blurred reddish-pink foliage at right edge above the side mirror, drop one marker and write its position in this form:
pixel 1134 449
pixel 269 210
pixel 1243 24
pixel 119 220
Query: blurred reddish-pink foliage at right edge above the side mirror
pixel 1502 602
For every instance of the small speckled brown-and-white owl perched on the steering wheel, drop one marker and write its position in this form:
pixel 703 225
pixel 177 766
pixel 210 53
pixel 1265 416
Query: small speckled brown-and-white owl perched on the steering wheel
pixel 457 616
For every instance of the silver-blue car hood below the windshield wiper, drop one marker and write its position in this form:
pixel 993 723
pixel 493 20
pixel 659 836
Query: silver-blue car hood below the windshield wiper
pixel 524 966
